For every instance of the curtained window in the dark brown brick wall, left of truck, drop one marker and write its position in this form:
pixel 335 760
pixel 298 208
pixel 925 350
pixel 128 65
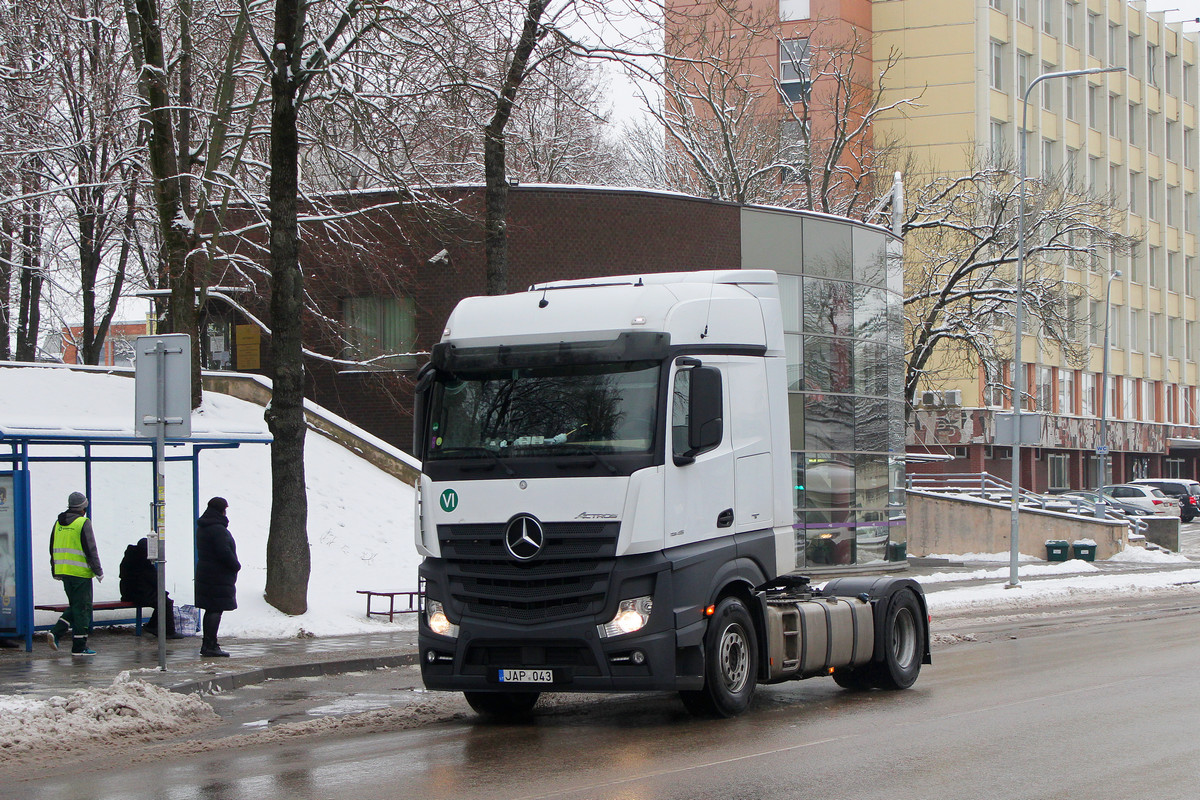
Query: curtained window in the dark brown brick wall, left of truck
pixel 380 332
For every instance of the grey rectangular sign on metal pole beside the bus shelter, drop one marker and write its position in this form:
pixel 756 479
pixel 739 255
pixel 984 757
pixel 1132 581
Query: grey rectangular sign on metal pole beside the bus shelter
pixel 163 404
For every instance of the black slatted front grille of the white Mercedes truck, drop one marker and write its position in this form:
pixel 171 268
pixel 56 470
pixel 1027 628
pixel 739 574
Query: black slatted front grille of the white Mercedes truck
pixel 567 579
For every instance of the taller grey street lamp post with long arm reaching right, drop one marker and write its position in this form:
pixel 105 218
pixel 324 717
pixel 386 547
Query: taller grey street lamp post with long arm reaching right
pixel 1018 374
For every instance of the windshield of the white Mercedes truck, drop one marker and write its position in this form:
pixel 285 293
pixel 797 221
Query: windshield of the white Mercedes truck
pixel 593 410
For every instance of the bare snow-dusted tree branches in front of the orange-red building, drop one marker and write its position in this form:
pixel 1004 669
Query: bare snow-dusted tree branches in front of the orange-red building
pixel 802 140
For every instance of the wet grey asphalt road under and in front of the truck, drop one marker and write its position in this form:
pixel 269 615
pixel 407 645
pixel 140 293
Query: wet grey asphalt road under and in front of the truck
pixel 1100 708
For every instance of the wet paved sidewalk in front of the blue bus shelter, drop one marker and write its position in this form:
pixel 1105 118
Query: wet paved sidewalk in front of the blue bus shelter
pixel 45 672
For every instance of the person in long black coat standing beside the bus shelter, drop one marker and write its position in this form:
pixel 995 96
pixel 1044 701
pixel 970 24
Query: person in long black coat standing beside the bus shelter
pixel 217 573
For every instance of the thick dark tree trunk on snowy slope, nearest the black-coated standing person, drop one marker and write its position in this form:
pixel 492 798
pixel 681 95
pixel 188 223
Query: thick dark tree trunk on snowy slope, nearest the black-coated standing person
pixel 289 560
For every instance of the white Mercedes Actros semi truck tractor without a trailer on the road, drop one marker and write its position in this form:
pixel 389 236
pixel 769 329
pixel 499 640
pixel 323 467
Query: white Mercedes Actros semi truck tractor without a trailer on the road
pixel 607 504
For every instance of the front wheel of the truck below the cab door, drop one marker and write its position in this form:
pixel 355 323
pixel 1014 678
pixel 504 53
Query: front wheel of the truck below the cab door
pixel 731 664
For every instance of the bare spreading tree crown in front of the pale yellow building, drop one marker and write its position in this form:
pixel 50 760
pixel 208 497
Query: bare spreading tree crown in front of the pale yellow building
pixel 961 256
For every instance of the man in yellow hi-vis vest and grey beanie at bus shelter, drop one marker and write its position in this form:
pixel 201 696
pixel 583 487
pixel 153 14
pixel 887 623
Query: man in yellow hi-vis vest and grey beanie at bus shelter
pixel 75 561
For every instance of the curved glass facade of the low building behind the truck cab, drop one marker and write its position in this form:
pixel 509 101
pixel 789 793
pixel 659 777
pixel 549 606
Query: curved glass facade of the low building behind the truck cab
pixel 842 291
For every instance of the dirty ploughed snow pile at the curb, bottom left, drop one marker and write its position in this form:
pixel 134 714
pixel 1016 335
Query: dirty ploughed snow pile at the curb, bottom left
pixel 129 711
